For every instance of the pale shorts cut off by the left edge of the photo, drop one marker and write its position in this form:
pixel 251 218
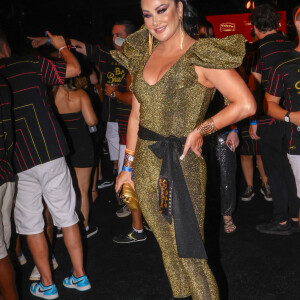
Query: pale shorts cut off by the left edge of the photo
pixel 7 191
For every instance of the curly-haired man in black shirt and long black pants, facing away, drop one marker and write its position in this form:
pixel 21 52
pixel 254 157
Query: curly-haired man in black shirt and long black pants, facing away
pixel 281 180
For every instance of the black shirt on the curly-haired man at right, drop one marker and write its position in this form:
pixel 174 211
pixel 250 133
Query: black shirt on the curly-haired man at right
pixel 271 50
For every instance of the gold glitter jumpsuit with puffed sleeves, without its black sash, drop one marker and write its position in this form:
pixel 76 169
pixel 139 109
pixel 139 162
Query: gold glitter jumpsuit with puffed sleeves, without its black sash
pixel 175 105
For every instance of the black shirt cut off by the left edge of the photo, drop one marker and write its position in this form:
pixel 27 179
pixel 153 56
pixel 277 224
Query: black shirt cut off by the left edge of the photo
pixel 6 133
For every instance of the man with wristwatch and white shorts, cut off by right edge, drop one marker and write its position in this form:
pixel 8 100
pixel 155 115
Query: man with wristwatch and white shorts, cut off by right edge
pixel 284 81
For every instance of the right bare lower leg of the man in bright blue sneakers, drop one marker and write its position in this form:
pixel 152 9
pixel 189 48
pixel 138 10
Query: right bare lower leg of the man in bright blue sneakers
pixel 73 243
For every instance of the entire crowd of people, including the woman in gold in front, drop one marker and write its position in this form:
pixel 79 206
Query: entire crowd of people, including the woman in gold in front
pixel 167 96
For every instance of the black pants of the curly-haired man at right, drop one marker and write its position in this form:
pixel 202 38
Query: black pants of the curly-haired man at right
pixel 278 169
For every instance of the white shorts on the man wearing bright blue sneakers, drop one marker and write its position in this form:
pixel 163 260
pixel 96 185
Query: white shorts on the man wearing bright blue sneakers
pixel 53 182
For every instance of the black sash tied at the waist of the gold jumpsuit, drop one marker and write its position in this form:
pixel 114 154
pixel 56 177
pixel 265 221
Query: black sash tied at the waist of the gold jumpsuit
pixel 174 197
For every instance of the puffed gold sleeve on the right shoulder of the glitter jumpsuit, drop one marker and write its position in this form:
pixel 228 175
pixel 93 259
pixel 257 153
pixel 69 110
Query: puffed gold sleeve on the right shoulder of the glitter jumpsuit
pixel 214 53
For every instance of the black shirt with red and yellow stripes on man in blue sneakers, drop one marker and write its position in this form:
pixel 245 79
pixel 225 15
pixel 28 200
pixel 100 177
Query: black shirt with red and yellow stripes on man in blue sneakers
pixel 38 136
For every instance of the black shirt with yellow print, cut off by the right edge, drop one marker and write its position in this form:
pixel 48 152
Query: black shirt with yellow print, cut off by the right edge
pixel 284 81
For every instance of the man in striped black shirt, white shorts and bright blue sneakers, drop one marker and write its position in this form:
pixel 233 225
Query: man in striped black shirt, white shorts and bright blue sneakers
pixel 39 161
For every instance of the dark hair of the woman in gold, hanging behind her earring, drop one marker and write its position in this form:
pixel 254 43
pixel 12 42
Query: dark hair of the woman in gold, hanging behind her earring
pixel 190 18
